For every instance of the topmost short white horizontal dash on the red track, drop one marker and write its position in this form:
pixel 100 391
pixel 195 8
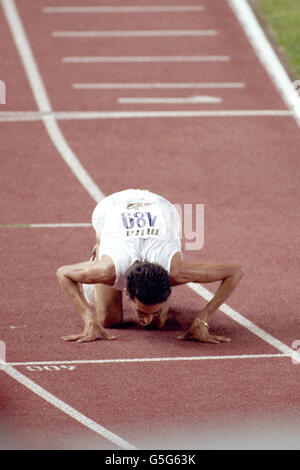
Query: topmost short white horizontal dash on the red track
pixel 124 9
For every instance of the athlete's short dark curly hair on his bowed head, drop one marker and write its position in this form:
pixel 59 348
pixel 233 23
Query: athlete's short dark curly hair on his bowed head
pixel 148 282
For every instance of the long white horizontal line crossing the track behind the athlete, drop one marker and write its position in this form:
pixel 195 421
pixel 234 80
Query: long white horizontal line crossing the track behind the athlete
pixel 82 115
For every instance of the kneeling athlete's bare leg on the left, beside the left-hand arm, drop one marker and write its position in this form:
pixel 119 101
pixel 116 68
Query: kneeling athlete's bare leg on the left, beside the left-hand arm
pixel 108 305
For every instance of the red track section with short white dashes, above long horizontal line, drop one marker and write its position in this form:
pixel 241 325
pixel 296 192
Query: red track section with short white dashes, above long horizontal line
pixel 59 77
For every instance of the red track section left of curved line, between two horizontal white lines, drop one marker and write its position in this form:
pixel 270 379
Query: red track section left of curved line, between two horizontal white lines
pixel 36 185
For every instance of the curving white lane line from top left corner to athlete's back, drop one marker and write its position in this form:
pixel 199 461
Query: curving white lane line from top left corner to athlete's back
pixel 42 100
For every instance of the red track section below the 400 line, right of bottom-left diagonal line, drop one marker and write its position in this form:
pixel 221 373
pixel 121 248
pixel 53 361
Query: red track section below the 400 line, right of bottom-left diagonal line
pixel 143 409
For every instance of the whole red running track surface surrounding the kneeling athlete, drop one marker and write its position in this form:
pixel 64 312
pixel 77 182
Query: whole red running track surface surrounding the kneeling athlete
pixel 172 394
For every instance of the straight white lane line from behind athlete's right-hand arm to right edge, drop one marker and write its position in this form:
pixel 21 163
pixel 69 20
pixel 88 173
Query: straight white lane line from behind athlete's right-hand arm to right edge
pixel 230 312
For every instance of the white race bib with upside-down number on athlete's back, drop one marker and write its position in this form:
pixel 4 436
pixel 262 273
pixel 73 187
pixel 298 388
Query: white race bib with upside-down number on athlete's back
pixel 139 220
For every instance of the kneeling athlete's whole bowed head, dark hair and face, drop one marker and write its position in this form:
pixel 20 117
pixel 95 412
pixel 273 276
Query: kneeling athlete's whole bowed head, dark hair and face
pixel 148 286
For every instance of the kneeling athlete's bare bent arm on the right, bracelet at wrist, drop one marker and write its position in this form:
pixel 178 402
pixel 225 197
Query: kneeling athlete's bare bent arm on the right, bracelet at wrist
pixel 229 275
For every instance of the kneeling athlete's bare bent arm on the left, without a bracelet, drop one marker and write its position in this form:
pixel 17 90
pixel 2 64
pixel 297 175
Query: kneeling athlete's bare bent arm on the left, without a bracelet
pixel 91 272
